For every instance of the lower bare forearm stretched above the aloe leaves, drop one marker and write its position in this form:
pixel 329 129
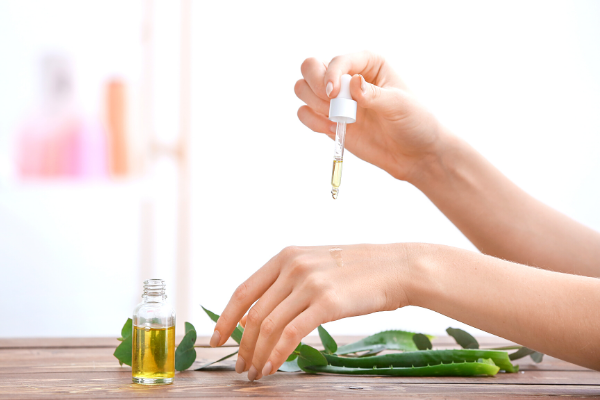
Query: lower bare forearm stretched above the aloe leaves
pixel 554 313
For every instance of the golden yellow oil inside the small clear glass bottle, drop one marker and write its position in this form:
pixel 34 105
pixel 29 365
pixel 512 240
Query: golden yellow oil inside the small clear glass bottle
pixel 153 360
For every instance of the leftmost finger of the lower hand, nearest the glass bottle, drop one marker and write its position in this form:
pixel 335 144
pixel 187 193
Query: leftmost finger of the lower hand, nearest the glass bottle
pixel 243 297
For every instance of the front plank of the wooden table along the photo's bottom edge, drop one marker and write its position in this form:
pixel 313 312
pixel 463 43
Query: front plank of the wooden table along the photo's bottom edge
pixel 229 384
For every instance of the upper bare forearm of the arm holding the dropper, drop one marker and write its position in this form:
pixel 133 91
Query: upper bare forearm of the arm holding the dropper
pixel 502 220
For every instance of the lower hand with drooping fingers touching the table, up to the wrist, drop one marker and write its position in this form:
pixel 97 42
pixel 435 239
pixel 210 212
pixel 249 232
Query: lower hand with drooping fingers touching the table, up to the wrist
pixel 303 287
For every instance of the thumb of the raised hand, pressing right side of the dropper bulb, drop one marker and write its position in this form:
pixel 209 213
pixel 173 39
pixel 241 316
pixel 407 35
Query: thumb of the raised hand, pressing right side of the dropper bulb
pixel 374 97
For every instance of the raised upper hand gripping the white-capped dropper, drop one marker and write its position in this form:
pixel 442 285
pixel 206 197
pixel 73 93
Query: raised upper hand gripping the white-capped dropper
pixel 392 130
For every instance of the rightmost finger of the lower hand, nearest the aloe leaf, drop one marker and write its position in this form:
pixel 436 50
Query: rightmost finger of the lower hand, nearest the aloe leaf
pixel 291 336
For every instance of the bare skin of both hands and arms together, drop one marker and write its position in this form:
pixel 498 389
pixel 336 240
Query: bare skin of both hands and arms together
pixel 535 283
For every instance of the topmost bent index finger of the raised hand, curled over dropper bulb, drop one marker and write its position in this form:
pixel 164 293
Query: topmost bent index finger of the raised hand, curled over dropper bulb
pixel 365 63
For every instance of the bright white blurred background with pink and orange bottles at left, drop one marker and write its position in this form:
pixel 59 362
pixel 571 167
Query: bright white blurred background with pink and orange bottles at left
pixel 159 139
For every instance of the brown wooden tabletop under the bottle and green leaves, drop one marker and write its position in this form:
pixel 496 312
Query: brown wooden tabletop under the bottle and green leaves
pixel 79 368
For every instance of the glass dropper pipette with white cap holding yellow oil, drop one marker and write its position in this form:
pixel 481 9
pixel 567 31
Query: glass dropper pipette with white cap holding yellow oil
pixel 342 110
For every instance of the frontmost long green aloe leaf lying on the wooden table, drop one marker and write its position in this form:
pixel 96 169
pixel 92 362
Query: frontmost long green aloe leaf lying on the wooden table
pixel 452 369
